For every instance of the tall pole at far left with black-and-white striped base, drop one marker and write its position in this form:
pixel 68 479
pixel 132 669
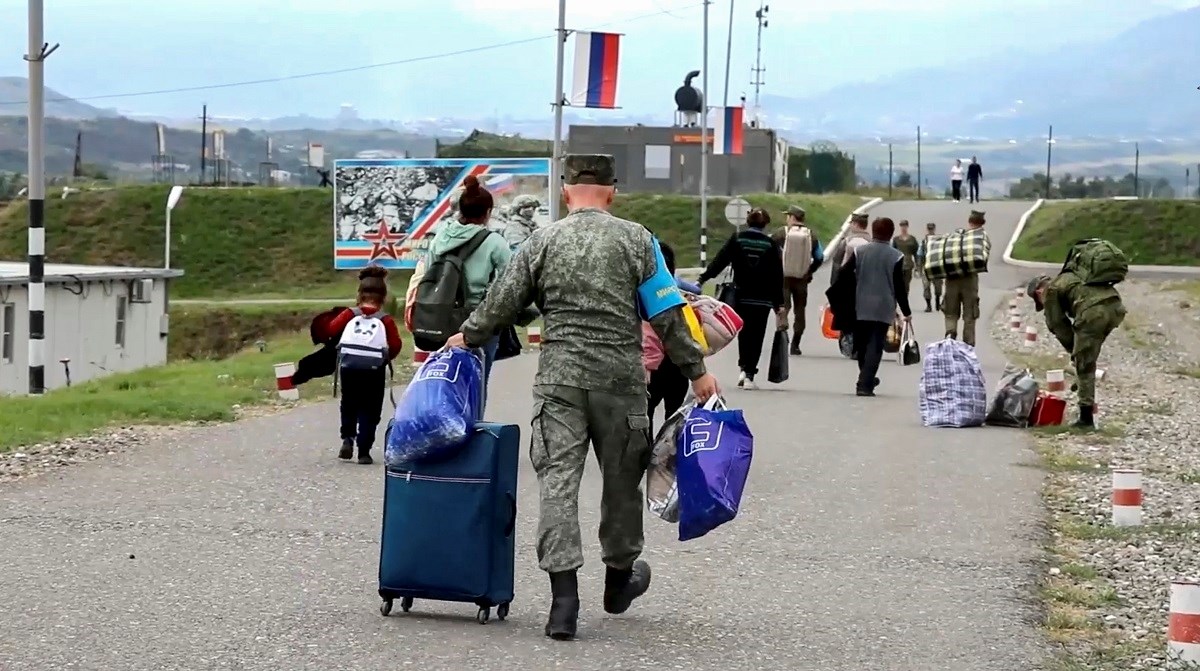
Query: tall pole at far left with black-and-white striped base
pixel 37 57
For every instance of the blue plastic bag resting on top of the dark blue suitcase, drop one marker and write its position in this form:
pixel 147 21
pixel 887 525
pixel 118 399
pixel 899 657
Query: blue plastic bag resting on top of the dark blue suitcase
pixel 440 409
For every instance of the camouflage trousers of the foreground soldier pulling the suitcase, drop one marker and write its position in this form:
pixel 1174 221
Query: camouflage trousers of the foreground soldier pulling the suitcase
pixel 566 422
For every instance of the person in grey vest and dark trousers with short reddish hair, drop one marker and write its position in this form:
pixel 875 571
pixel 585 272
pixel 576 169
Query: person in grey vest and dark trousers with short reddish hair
pixel 879 274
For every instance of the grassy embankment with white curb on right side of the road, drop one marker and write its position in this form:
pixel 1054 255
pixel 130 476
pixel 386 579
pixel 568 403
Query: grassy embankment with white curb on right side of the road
pixel 1149 232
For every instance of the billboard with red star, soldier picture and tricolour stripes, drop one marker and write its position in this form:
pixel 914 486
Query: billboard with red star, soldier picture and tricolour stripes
pixel 387 212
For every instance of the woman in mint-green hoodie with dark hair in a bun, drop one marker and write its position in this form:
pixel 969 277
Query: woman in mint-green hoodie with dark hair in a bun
pixel 485 255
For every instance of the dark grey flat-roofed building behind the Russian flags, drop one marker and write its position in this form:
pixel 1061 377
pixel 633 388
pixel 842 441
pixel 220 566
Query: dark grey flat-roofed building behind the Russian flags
pixel 667 160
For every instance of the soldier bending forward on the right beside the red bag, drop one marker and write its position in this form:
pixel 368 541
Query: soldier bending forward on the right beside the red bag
pixel 1082 317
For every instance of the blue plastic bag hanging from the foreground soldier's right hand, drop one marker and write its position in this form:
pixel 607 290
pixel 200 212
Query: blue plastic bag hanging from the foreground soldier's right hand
pixel 716 448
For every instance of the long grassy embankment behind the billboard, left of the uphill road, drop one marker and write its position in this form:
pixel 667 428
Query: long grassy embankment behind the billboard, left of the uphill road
pixel 279 242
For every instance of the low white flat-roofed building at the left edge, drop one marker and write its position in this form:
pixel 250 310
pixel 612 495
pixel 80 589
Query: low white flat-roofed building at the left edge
pixel 101 319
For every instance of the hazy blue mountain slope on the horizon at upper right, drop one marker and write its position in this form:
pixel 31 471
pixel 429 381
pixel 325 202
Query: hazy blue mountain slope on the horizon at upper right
pixel 1126 85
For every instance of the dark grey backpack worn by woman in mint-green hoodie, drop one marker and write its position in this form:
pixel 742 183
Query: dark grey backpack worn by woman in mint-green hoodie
pixel 440 307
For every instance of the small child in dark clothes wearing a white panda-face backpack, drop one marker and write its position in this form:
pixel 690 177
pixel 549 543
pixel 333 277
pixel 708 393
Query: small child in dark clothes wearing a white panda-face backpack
pixel 368 342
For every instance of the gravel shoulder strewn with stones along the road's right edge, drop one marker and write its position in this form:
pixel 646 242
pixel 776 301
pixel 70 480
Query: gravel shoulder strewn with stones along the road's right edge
pixel 1106 589
